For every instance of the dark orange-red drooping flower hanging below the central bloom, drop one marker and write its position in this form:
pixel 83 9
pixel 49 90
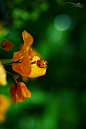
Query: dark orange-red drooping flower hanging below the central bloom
pixel 19 92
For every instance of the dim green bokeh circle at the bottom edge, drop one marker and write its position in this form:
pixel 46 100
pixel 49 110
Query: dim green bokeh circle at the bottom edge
pixel 26 122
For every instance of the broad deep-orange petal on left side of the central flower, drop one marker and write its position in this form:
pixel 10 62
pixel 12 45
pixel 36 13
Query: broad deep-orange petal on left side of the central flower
pixel 23 67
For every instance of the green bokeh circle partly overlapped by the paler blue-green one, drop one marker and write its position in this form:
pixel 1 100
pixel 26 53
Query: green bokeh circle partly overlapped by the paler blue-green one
pixel 53 34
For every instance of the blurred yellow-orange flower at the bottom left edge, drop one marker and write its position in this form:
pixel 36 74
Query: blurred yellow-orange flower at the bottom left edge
pixel 4 106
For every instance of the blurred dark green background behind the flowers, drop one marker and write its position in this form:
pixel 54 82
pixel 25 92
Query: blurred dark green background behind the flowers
pixel 58 99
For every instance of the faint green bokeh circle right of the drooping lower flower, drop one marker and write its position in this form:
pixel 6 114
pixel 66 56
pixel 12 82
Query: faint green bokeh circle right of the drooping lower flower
pixel 37 97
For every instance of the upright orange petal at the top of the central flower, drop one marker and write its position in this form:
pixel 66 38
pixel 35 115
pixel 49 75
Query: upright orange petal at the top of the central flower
pixel 28 39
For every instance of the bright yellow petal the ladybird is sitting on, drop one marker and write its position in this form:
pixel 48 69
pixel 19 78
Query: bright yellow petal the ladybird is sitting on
pixel 35 70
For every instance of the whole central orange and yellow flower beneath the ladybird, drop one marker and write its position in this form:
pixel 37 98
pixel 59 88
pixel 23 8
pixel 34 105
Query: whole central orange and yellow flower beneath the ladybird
pixel 27 65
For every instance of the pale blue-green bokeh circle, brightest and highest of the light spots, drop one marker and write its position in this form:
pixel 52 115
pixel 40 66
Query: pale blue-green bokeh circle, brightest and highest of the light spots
pixel 62 22
